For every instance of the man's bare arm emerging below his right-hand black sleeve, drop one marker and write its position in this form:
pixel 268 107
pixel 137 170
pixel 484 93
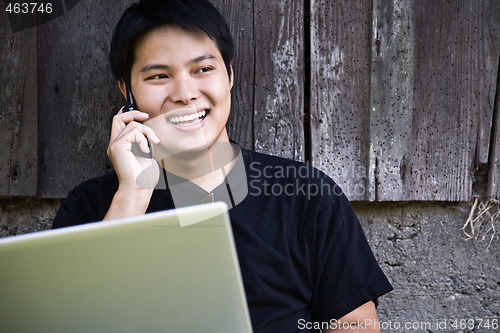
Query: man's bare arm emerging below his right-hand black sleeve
pixel 363 319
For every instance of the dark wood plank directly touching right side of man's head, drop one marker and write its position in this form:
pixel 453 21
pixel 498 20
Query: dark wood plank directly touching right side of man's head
pixel 239 15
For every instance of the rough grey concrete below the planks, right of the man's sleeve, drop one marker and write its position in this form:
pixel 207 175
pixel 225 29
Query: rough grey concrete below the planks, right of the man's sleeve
pixel 442 282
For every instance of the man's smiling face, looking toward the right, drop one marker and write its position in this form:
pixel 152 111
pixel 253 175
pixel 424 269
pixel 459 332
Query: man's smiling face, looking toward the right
pixel 179 78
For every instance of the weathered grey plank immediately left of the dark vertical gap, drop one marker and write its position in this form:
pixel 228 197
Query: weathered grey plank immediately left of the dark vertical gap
pixel 279 77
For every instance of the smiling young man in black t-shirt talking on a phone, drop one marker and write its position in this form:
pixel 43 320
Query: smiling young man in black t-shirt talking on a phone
pixel 303 255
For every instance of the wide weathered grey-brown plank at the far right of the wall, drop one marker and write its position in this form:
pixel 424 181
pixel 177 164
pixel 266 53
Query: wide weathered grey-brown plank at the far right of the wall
pixel 455 71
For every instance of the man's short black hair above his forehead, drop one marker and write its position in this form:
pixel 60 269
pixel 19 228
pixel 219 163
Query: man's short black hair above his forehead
pixel 147 15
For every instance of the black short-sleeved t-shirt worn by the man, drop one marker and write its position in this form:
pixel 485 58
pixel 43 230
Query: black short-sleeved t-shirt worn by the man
pixel 302 252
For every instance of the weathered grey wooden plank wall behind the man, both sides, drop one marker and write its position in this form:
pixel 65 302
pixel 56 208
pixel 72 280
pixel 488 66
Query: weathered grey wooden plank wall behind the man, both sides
pixel 395 99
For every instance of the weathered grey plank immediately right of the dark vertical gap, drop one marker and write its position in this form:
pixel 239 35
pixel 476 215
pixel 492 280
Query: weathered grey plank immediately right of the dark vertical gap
pixel 340 91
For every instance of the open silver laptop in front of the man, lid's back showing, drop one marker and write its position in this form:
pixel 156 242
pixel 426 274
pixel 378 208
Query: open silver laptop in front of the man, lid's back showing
pixel 172 271
